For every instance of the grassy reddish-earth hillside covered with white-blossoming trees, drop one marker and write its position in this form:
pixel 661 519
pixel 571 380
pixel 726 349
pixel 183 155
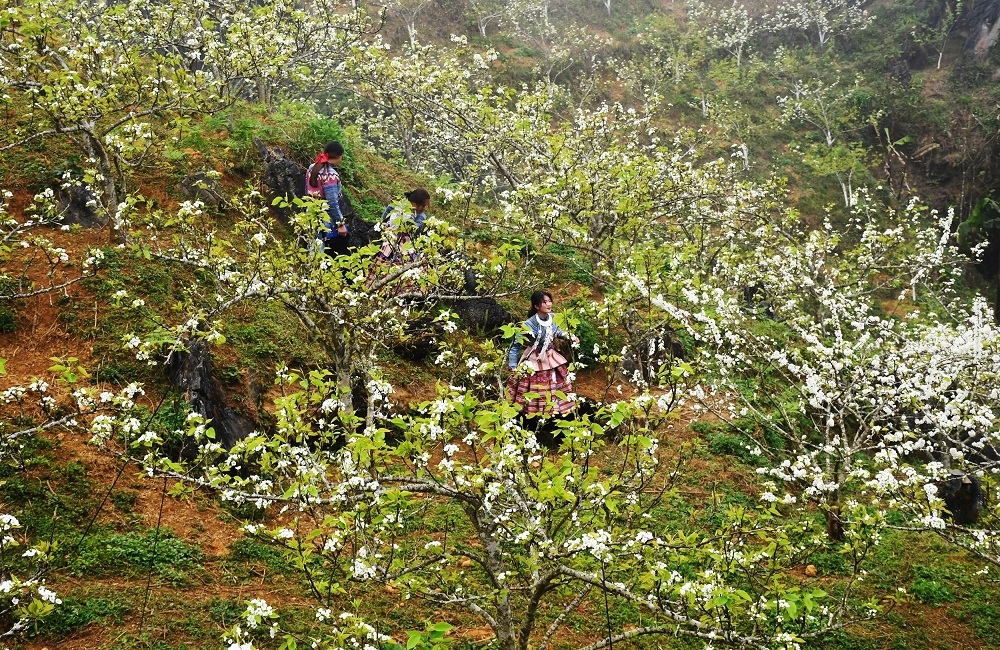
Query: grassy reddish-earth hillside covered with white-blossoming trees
pixel 687 201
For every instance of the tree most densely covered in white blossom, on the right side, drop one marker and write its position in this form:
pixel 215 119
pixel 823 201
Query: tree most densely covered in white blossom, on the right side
pixel 839 381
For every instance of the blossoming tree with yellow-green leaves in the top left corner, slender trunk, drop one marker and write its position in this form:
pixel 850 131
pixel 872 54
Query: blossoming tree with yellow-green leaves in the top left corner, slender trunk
pixel 109 76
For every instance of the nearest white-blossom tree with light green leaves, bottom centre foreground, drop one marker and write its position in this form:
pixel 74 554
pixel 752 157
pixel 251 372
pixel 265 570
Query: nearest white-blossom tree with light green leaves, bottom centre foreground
pixel 545 532
